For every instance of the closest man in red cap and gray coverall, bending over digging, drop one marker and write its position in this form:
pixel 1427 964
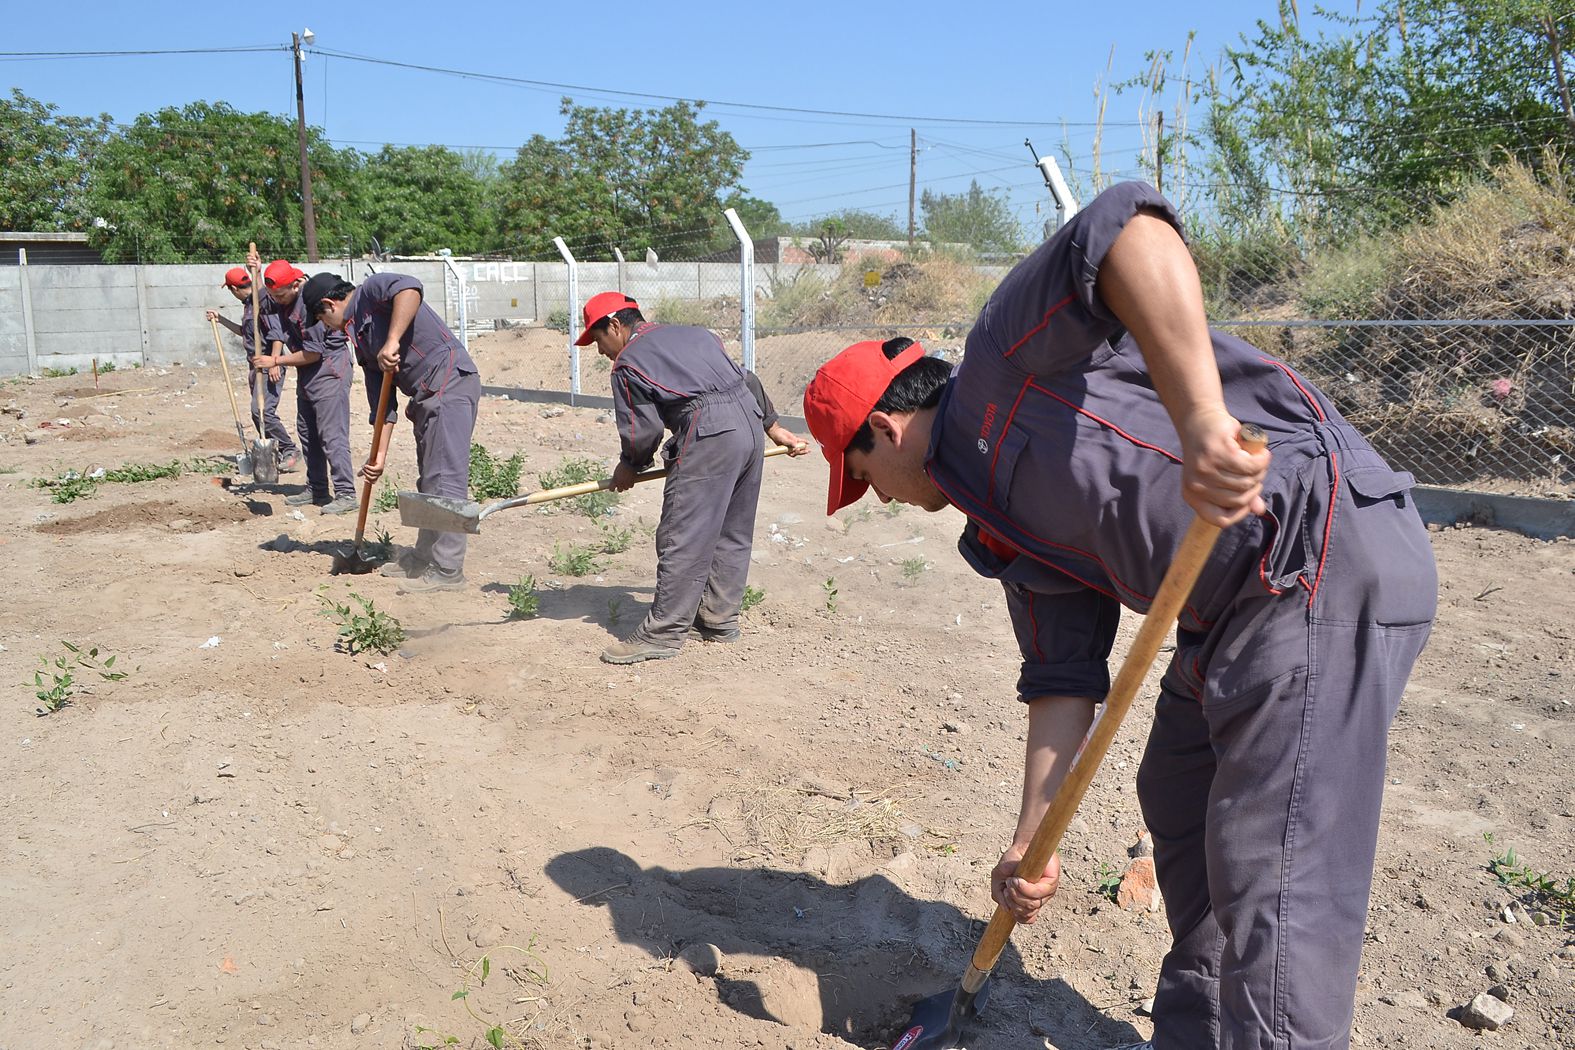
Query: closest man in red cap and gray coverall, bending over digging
pixel 1092 415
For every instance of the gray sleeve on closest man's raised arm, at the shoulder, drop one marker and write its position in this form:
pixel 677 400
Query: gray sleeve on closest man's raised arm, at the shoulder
pixel 1047 317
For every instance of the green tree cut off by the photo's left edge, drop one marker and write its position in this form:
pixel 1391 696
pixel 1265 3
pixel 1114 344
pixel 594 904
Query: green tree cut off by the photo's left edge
pixel 45 161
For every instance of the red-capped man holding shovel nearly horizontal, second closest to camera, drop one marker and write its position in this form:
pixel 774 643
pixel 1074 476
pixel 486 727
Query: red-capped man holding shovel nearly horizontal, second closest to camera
pixel 680 379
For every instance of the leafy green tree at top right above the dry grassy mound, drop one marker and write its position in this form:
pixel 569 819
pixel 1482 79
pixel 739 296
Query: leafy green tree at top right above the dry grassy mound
pixel 1369 120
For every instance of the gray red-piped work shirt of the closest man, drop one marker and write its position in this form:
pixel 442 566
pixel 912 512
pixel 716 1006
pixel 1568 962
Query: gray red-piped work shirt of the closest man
pixel 1054 443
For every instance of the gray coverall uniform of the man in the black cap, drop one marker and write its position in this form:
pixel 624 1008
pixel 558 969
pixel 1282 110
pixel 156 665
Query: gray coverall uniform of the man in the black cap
pixel 445 394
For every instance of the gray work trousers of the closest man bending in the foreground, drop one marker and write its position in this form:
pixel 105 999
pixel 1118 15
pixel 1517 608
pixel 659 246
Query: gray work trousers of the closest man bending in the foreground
pixel 1264 777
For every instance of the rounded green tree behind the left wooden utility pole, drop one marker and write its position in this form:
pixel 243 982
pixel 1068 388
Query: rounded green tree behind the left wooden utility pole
pixel 199 182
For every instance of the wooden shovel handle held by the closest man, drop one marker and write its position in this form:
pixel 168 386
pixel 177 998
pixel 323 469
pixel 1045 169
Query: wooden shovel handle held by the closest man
pixel 1165 610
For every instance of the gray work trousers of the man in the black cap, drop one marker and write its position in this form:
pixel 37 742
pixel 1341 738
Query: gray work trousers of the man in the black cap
pixel 445 424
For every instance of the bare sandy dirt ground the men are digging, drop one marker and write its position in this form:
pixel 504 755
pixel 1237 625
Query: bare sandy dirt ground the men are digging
pixel 267 843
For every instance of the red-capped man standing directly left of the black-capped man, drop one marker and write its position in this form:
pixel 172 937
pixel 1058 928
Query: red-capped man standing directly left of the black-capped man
pixel 322 363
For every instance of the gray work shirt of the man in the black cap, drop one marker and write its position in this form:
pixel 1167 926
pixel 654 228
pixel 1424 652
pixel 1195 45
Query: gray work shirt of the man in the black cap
pixel 431 355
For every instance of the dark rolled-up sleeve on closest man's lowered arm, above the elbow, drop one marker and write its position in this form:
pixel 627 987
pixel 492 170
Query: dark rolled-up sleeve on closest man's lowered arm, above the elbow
pixel 1065 641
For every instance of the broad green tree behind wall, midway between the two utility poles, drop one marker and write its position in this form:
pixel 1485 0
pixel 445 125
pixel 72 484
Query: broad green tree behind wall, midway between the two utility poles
pixel 626 179
